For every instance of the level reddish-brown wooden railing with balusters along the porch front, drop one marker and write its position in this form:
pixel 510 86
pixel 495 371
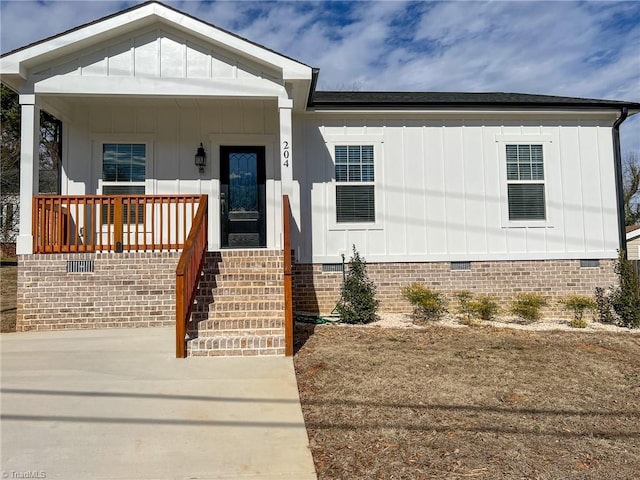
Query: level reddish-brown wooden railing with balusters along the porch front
pixel 99 223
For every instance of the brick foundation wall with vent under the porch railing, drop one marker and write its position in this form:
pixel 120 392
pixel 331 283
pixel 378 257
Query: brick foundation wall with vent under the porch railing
pixel 125 290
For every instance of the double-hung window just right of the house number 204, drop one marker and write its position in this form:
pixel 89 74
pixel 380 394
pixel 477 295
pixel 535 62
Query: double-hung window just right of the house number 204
pixel 355 197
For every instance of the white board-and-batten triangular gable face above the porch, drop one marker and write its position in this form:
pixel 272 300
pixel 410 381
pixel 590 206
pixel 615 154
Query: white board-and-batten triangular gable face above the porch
pixel 149 62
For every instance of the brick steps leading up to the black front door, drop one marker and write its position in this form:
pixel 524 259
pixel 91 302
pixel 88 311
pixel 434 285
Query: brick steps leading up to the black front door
pixel 239 306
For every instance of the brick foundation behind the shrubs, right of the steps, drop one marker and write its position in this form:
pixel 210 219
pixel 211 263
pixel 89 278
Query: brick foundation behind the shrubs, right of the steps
pixel 318 292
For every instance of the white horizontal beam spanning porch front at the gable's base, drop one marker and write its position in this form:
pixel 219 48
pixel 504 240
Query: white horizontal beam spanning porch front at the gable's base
pixel 153 86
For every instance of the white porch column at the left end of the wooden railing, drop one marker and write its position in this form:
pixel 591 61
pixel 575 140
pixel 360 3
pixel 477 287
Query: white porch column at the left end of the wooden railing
pixel 29 170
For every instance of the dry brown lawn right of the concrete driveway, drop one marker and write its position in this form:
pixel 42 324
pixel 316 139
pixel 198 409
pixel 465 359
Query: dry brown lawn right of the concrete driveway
pixel 486 403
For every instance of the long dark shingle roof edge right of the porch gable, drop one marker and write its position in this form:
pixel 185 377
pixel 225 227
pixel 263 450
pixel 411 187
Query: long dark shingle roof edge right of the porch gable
pixel 343 99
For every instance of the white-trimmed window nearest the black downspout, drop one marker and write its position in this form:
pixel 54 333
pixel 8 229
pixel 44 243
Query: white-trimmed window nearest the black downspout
pixel 525 188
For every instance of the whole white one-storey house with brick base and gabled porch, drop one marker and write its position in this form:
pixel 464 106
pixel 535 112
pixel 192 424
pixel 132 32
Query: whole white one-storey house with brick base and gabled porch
pixel 489 192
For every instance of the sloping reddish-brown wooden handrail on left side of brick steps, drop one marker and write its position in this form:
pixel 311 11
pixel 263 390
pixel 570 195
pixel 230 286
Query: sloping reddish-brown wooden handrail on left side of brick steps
pixel 188 273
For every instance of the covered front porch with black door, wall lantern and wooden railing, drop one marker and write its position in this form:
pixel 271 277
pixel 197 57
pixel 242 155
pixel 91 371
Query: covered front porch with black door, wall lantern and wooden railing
pixel 151 165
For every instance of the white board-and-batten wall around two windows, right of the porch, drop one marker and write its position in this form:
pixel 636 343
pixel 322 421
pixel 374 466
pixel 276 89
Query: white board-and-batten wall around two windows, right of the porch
pixel 440 190
